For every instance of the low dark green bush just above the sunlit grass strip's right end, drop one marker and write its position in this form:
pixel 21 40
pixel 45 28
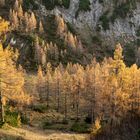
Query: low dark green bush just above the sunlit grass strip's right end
pixel 80 127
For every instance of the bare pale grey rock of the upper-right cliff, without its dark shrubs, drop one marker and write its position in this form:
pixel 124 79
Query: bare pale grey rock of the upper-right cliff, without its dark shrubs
pixel 125 28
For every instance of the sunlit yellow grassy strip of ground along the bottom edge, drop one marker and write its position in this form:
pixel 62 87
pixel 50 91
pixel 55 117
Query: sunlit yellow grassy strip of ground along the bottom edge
pixel 32 133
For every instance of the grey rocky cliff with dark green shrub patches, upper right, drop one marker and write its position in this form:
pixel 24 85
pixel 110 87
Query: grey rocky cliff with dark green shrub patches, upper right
pixel 114 20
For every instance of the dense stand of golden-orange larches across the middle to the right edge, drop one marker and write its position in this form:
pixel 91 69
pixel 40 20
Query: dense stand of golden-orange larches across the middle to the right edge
pixel 109 90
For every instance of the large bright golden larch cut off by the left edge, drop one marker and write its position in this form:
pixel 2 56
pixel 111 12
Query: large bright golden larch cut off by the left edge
pixel 11 79
